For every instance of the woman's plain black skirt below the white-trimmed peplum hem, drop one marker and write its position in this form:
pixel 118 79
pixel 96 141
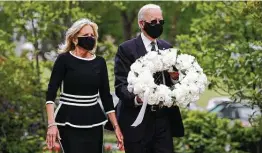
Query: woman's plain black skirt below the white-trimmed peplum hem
pixel 81 140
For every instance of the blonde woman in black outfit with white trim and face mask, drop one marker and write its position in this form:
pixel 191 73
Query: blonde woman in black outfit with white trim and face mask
pixel 81 76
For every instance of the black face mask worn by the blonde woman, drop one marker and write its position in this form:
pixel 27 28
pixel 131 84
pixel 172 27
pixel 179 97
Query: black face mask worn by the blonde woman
pixel 88 43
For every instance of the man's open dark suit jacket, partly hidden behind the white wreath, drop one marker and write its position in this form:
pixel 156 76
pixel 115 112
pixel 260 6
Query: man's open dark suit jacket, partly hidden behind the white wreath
pixel 127 111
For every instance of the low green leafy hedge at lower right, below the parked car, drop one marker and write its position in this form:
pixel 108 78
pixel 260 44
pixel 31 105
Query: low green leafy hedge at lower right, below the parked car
pixel 206 133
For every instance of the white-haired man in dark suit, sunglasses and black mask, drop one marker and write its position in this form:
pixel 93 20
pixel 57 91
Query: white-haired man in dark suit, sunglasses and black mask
pixel 154 134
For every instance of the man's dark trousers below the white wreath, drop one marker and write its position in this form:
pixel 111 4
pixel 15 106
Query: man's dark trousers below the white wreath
pixel 157 138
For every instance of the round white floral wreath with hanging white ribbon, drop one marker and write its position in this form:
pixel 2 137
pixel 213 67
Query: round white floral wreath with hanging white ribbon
pixel 190 84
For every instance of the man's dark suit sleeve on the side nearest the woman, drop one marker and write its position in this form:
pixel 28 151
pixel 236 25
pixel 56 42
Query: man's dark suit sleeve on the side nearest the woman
pixel 122 67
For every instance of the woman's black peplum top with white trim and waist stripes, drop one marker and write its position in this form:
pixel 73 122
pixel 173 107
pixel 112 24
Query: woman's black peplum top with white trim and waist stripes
pixel 80 80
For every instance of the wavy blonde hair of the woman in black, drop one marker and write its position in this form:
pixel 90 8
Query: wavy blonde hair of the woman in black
pixel 72 33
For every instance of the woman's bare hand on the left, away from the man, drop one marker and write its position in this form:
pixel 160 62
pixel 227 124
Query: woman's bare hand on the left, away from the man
pixel 52 135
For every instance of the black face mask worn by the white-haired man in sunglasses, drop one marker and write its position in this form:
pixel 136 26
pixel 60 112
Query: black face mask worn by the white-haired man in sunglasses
pixel 153 30
